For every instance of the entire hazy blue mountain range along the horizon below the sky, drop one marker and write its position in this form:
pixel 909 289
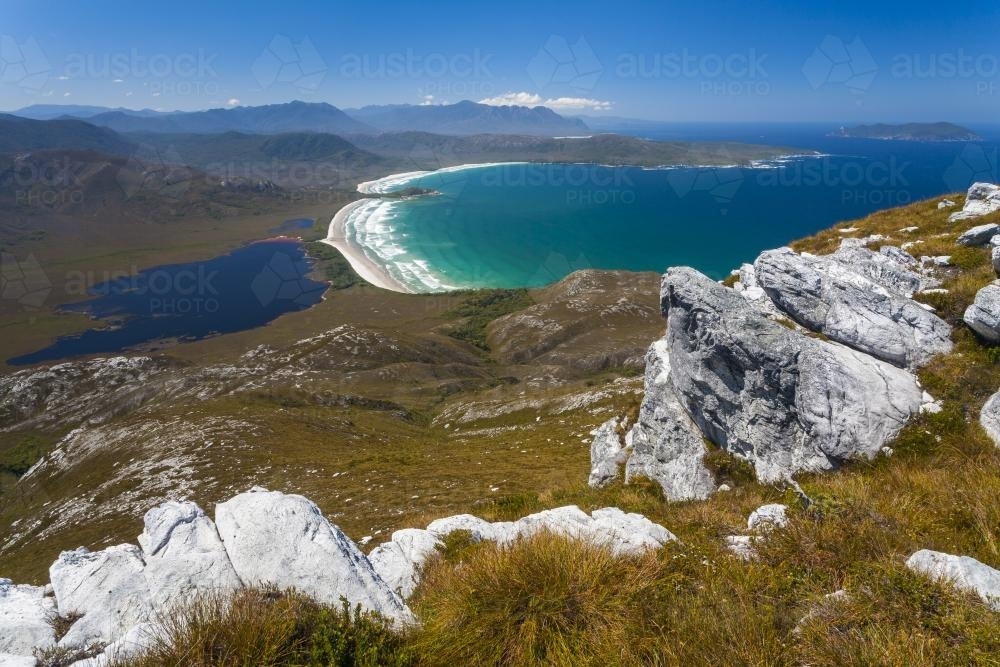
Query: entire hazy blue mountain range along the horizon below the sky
pixel 462 118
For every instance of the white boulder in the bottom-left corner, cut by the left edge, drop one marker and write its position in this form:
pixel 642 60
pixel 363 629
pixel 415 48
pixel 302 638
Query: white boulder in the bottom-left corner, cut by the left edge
pixel 25 613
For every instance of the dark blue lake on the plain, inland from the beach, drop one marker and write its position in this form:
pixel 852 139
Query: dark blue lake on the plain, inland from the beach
pixel 246 288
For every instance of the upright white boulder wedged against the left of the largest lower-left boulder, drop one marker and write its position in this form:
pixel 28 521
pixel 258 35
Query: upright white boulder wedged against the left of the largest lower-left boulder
pixel 184 555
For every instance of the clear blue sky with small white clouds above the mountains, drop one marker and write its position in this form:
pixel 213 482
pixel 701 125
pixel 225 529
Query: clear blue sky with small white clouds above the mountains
pixel 683 61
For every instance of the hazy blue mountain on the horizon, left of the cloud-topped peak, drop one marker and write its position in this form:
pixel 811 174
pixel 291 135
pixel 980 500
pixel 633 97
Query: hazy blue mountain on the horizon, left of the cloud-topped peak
pixel 270 119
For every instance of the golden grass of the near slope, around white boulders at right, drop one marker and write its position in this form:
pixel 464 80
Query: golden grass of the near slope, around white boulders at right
pixel 939 490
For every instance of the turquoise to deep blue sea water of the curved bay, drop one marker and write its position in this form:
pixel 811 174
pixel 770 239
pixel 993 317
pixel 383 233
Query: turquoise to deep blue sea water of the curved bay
pixel 529 225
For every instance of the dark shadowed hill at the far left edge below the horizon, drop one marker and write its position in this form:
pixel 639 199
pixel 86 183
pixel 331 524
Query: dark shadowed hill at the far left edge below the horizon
pixel 25 134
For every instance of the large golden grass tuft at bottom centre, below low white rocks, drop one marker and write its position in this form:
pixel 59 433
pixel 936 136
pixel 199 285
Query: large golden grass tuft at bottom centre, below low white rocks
pixel 542 600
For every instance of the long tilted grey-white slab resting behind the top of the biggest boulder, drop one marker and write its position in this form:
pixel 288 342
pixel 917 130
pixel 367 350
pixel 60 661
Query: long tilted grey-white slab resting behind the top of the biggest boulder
pixel 824 295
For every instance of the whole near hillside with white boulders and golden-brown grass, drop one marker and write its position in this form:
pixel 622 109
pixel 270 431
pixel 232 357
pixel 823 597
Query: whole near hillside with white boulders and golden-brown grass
pixel 842 392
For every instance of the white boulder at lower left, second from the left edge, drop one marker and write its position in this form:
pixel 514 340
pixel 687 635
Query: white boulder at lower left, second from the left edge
pixel 106 588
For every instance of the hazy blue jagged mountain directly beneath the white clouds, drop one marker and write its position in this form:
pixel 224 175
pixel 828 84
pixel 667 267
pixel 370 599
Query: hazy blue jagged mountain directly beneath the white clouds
pixel 469 118
